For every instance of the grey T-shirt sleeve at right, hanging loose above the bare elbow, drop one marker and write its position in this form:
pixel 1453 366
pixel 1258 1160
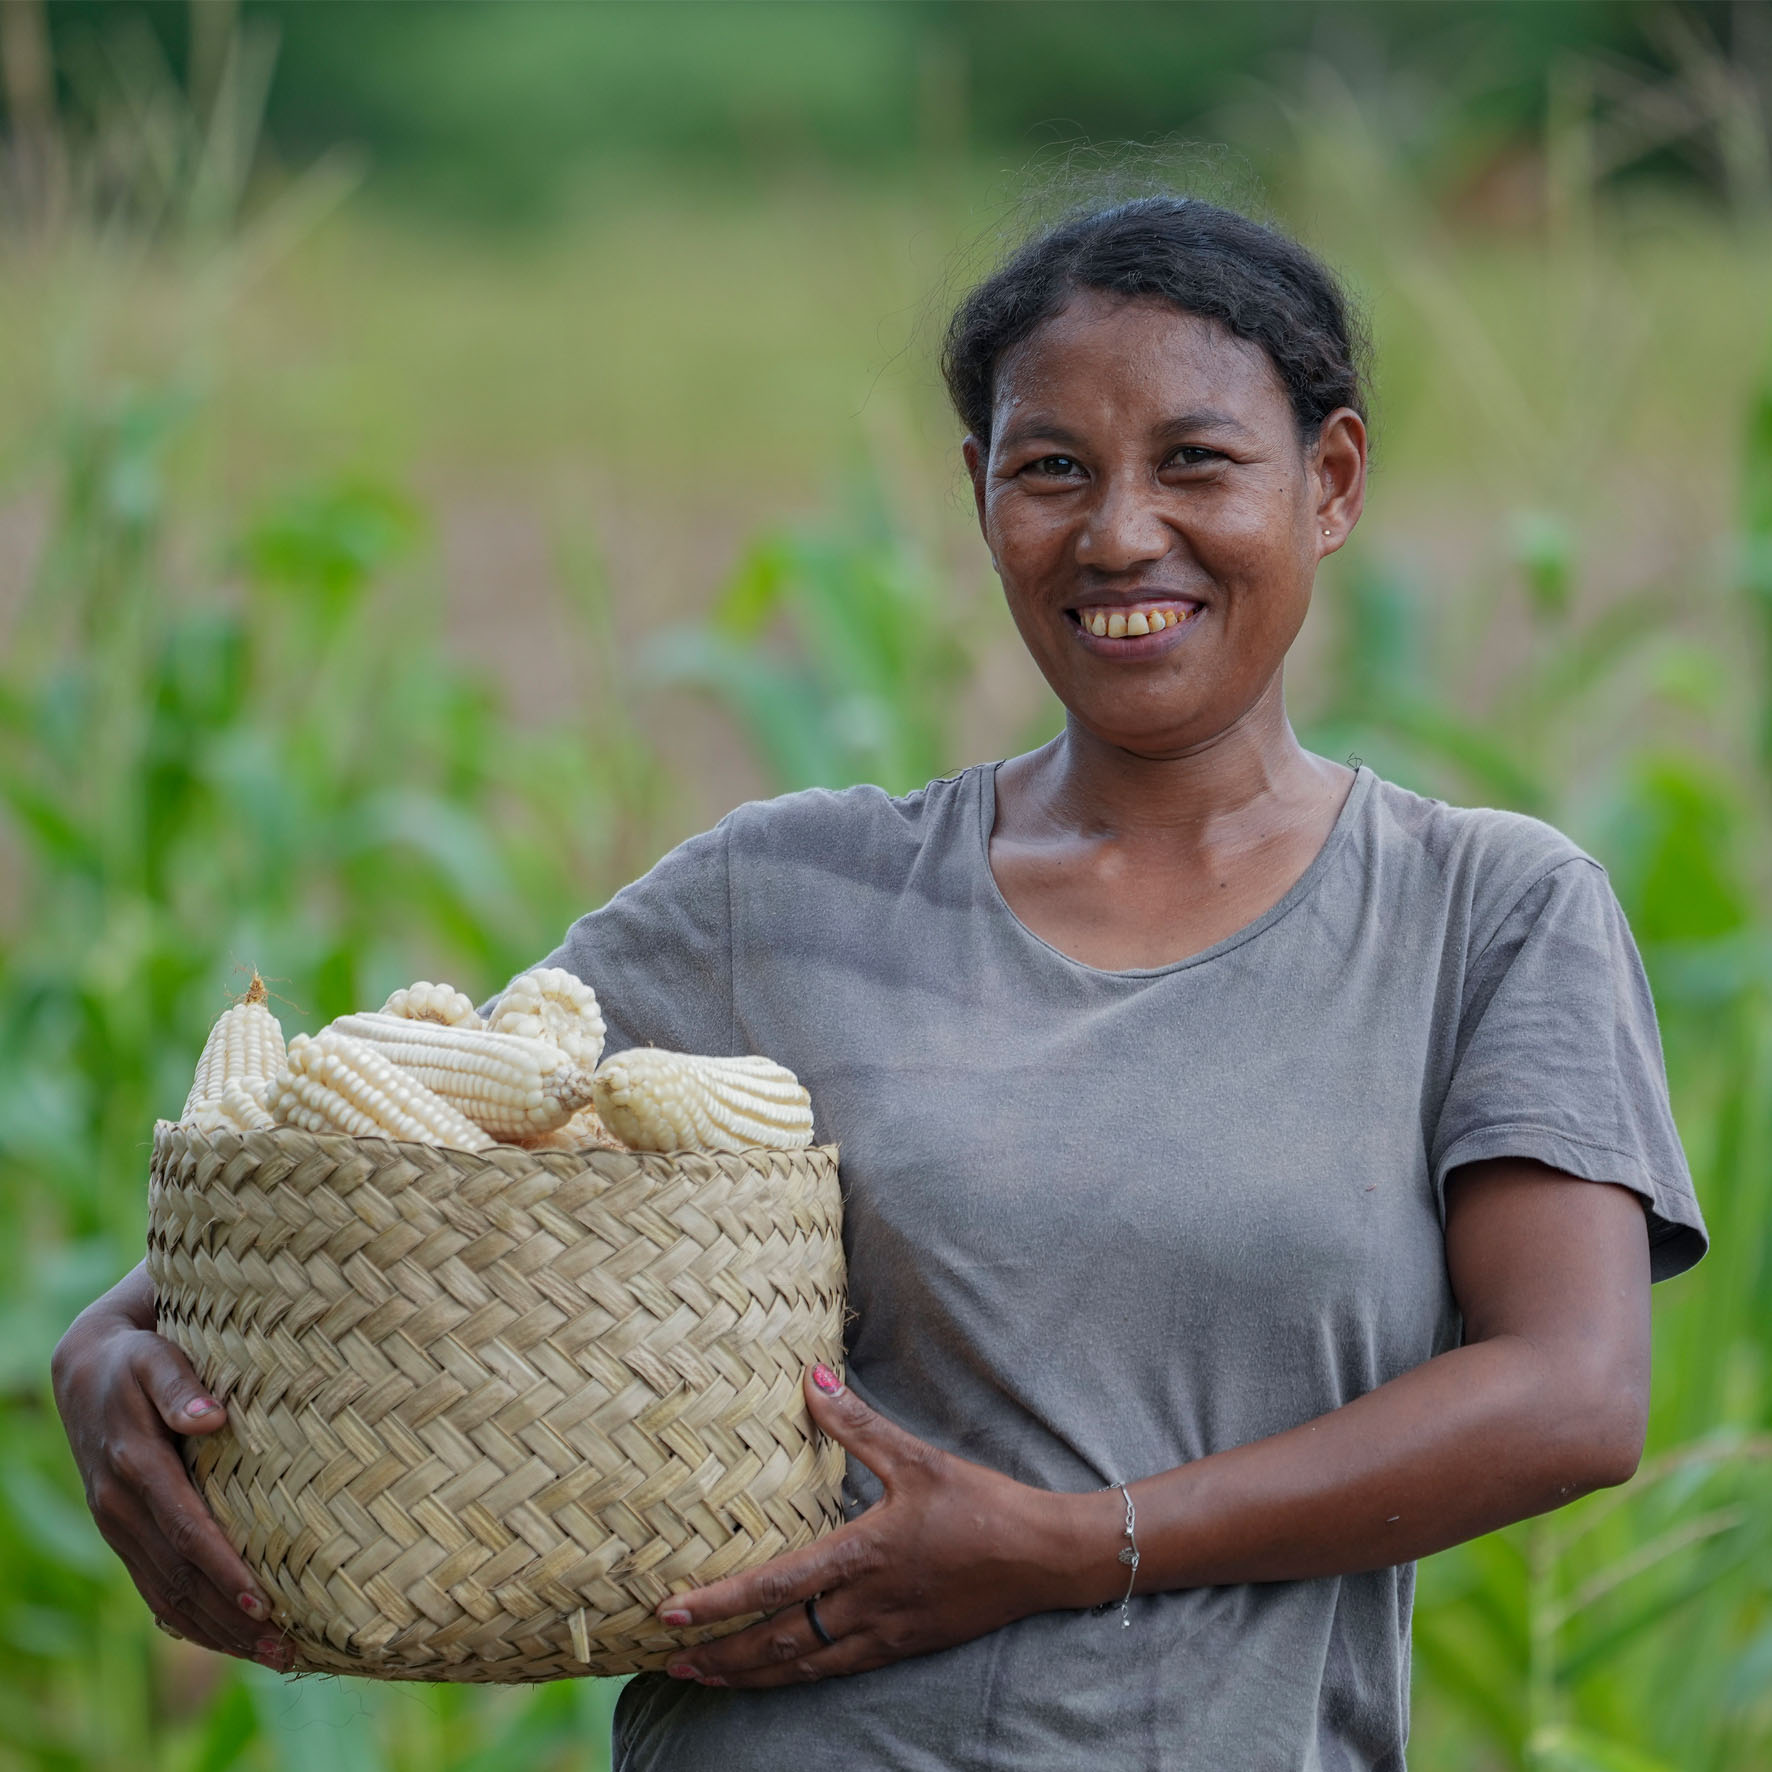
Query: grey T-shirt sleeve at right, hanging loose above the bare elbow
pixel 1558 1059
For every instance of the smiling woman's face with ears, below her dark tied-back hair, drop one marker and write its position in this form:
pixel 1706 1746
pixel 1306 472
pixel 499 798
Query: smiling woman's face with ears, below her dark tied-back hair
pixel 1156 520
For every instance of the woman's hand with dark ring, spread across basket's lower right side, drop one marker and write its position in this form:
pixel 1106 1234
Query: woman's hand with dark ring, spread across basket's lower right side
pixel 951 1553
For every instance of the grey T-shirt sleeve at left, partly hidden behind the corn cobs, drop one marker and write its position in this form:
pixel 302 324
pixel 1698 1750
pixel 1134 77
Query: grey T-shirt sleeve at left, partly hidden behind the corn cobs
pixel 660 954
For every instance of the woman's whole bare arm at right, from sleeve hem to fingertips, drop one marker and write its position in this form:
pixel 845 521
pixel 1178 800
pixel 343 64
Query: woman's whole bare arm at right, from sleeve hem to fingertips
pixel 1544 1403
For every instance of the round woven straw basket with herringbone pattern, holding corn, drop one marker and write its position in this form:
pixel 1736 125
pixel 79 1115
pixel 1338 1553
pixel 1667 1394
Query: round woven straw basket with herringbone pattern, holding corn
pixel 486 1411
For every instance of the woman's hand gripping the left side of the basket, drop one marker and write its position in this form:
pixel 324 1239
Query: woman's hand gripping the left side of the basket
pixel 125 1395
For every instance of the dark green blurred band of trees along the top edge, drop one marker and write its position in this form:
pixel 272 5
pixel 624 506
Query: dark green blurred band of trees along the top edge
pixel 492 107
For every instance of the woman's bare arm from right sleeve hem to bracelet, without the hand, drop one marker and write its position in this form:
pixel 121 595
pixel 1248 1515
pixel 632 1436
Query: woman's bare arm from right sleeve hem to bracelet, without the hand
pixel 1546 1401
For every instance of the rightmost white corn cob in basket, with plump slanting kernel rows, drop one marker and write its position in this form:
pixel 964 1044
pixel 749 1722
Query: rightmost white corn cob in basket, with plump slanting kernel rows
pixel 674 1101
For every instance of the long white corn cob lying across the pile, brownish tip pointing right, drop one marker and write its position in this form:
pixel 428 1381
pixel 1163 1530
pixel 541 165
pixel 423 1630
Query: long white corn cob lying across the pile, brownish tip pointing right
pixel 509 1085
